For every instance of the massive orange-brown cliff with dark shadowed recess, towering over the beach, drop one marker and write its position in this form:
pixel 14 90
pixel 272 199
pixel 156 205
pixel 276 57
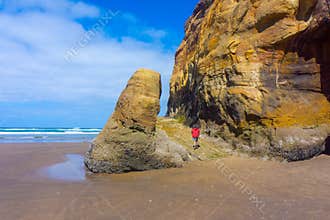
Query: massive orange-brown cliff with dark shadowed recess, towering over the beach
pixel 257 73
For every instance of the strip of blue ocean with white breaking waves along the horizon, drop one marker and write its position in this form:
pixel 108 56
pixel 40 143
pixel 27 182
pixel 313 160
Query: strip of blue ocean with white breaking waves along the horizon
pixel 42 135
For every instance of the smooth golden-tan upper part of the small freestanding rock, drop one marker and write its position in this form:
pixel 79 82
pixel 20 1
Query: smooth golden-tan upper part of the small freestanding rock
pixel 138 105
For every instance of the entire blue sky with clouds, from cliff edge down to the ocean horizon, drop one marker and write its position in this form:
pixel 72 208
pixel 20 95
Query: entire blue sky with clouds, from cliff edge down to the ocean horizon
pixel 65 62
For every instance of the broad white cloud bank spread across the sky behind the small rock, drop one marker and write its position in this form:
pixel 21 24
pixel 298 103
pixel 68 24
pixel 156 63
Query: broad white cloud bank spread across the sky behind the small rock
pixel 32 59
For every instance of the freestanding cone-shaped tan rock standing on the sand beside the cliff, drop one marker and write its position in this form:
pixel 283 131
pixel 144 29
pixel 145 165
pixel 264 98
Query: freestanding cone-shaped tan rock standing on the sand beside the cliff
pixel 129 141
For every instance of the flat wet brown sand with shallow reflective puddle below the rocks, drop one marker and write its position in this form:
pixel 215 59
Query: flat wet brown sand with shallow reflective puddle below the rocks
pixel 234 188
